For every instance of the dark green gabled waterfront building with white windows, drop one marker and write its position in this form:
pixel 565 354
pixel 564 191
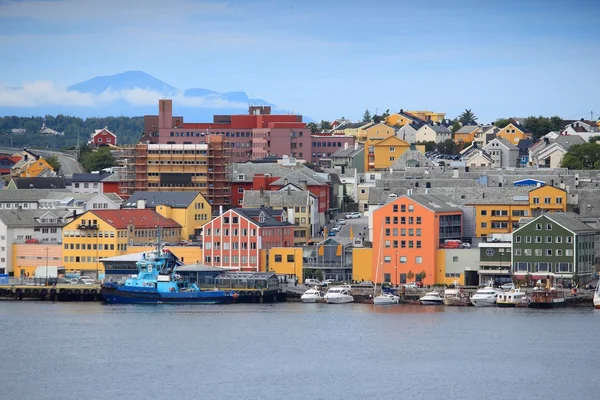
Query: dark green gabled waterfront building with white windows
pixel 556 245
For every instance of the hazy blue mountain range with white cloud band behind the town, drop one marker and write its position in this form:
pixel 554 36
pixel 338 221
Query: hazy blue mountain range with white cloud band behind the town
pixel 131 93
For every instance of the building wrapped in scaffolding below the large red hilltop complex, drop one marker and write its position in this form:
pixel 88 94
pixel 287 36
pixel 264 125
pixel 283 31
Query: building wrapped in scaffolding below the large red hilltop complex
pixel 177 168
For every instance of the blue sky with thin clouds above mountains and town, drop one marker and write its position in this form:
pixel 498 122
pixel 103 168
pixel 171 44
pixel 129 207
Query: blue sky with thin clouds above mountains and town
pixel 324 59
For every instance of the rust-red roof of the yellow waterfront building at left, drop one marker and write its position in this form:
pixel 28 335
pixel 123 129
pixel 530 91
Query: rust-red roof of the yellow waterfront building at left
pixel 140 218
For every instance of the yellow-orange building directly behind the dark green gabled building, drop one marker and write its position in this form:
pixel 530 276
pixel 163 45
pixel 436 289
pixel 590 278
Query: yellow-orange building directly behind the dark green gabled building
pixel 504 218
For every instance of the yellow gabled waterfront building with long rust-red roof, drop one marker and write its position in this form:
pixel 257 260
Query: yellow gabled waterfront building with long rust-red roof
pixel 107 233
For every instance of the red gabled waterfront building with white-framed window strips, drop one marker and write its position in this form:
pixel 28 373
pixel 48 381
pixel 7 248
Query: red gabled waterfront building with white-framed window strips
pixel 235 238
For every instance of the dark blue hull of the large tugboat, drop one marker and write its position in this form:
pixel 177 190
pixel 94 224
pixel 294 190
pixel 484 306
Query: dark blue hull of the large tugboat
pixel 116 296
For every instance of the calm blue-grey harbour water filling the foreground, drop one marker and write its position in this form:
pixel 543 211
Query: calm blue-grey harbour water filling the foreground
pixel 296 351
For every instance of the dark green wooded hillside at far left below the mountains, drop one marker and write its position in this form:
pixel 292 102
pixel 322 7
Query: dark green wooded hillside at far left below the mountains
pixel 127 129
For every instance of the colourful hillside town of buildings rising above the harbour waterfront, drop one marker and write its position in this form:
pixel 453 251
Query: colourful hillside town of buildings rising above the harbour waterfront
pixel 371 201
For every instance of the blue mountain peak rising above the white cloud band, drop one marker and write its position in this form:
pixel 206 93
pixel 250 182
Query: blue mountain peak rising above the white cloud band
pixel 128 80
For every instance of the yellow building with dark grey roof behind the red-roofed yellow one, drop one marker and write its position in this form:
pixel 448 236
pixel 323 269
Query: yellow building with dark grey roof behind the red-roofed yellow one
pixel 191 210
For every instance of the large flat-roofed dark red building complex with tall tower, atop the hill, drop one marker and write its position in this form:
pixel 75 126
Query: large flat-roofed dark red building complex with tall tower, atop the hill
pixel 256 135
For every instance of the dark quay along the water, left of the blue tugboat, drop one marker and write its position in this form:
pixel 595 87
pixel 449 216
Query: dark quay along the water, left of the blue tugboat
pixel 60 292
